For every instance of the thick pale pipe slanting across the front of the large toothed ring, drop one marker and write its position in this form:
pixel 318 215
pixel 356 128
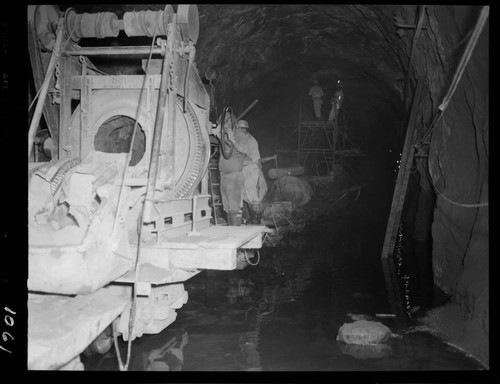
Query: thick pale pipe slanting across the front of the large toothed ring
pixel 155 146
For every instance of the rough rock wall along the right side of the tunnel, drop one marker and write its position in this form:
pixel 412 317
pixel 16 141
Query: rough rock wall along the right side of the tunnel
pixel 457 165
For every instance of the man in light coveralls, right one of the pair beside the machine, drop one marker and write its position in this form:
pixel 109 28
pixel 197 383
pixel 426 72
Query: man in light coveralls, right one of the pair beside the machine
pixel 255 186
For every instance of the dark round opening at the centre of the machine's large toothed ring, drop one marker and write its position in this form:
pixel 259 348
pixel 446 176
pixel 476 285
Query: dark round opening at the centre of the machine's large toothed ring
pixel 115 134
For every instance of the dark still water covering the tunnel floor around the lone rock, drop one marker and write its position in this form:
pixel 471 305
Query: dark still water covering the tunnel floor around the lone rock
pixel 284 313
